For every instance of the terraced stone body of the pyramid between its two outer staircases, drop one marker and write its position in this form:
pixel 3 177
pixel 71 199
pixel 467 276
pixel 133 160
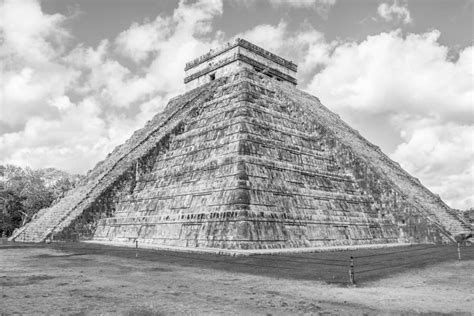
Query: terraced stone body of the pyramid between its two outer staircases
pixel 250 171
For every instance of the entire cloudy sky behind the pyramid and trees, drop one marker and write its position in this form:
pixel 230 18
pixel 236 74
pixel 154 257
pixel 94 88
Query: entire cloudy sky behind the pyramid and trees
pixel 78 77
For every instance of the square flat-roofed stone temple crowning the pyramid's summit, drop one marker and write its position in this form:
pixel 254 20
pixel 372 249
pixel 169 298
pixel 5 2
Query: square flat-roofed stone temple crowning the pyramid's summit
pixel 236 55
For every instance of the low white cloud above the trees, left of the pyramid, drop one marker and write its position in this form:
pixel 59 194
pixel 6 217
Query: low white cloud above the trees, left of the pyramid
pixel 74 141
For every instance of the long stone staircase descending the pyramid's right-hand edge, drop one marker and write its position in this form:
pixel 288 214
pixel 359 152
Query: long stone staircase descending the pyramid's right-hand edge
pixel 423 201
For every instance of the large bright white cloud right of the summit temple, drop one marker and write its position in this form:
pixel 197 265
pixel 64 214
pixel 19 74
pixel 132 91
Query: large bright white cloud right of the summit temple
pixel 388 73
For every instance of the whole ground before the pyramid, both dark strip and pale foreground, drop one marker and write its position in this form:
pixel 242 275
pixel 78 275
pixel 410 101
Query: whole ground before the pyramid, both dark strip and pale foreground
pixel 78 278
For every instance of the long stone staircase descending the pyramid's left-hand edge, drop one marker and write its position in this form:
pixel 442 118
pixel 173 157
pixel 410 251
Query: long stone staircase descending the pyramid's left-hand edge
pixel 52 220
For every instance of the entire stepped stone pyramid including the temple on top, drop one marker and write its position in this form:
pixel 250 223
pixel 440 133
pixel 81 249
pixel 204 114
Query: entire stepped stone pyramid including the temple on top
pixel 245 160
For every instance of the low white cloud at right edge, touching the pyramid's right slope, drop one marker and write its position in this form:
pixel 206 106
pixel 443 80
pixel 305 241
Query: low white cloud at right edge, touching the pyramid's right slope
pixel 442 155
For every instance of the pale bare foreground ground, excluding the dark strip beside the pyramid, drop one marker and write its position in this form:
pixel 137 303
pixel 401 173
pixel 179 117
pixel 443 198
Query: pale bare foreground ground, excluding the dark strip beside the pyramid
pixel 47 281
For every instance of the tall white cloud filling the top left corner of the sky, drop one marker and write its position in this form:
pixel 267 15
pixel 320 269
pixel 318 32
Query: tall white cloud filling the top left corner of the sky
pixel 31 73
